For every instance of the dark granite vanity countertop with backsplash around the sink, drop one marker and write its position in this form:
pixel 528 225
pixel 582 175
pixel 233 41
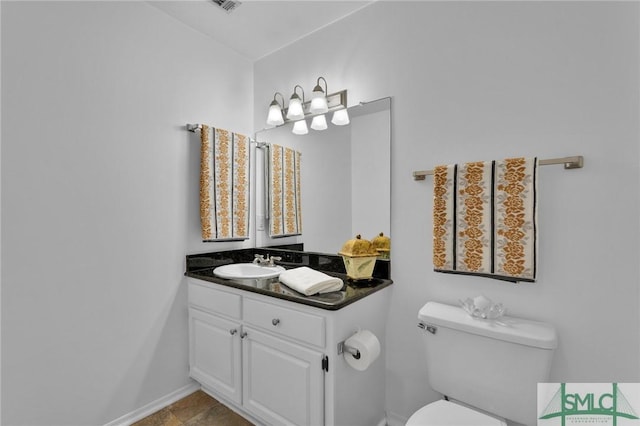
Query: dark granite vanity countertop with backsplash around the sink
pixel 201 267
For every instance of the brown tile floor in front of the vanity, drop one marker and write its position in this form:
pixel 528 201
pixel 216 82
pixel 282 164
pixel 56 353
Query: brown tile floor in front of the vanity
pixel 197 409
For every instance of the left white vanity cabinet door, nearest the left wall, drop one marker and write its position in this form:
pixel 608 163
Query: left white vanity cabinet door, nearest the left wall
pixel 214 353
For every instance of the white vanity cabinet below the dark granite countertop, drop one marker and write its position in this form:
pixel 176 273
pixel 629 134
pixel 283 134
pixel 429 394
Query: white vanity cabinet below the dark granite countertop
pixel 277 362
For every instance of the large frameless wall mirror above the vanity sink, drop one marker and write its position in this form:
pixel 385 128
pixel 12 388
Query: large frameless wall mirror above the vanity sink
pixel 345 174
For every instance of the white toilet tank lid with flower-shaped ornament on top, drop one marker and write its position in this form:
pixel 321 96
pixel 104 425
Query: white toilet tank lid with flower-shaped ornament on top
pixel 509 329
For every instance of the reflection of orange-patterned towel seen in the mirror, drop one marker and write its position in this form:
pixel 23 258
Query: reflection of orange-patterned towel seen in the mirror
pixel 285 209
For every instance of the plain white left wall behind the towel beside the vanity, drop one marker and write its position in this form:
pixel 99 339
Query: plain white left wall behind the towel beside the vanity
pixel 100 202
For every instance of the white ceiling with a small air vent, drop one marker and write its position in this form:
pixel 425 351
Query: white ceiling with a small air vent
pixel 256 28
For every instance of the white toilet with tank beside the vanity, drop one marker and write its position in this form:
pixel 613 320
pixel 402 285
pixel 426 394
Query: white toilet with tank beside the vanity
pixel 487 369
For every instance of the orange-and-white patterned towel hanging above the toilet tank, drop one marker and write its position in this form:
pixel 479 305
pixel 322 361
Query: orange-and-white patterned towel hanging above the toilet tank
pixel 485 219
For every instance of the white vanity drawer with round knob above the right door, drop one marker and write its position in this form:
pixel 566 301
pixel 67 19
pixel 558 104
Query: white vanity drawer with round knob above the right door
pixel 297 325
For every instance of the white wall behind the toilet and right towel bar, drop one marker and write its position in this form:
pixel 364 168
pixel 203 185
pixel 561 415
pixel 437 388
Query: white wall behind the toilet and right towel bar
pixel 476 81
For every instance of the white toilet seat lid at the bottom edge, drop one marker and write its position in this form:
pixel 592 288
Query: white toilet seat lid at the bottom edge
pixel 447 413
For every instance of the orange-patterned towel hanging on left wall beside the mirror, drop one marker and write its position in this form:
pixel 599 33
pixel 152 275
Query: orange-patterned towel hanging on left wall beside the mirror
pixel 224 185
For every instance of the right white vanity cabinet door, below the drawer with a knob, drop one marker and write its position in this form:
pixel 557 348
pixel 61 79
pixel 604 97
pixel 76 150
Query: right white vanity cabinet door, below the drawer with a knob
pixel 283 383
